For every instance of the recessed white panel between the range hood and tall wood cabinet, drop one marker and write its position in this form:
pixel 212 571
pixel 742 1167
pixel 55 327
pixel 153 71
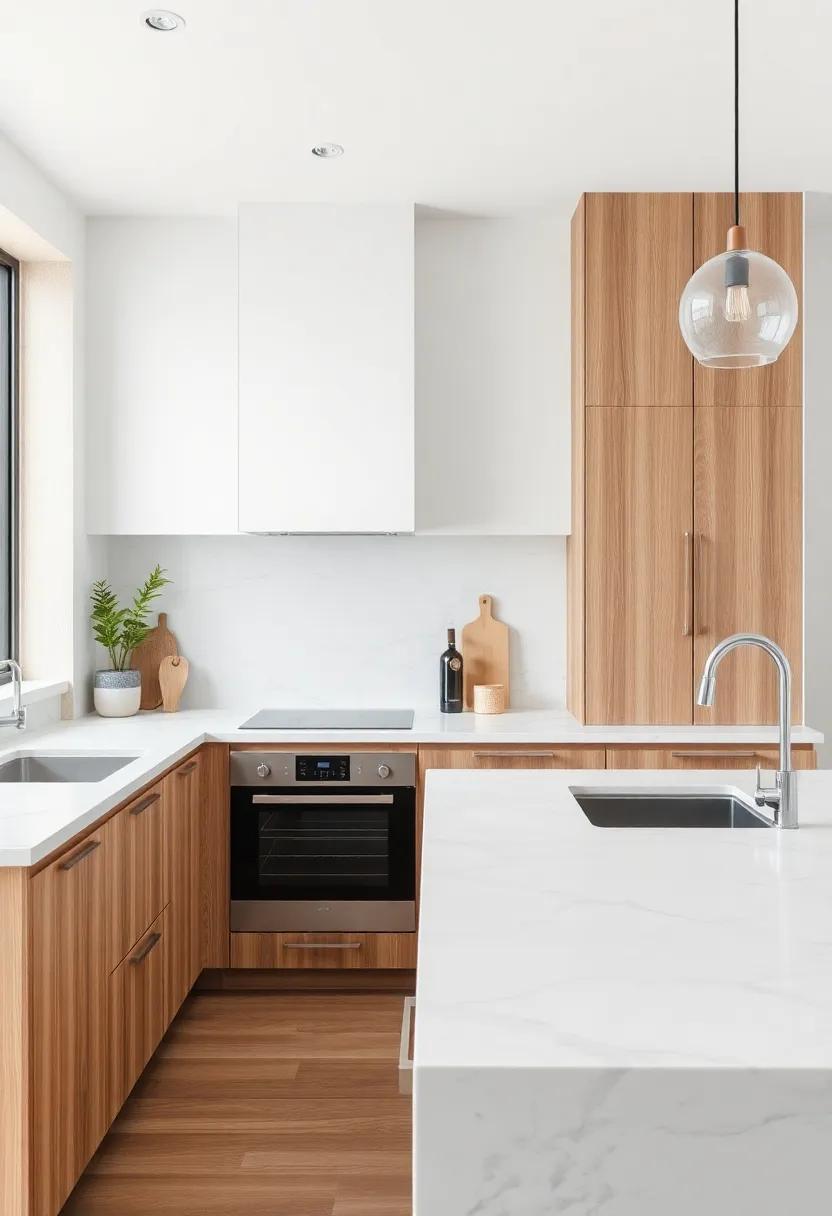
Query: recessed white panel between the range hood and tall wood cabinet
pixel 493 373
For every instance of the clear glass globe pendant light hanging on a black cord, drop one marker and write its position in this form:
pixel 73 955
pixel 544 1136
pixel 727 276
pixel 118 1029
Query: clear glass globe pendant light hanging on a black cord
pixel 740 309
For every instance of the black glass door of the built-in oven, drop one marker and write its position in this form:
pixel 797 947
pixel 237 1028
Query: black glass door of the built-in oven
pixel 357 845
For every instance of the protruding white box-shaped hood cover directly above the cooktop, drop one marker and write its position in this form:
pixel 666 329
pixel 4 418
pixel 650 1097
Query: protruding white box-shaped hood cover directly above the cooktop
pixel 327 369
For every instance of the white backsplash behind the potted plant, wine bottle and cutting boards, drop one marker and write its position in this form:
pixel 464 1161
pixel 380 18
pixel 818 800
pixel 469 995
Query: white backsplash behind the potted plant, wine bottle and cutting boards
pixel 350 621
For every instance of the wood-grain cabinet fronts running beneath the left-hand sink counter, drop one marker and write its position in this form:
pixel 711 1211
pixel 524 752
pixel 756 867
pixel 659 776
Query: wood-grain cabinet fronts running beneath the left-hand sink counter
pixel 115 949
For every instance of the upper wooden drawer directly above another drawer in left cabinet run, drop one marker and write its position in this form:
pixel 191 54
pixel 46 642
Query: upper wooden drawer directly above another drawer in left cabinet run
pixel 138 874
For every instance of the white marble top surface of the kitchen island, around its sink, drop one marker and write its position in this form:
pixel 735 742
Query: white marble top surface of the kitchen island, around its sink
pixel 549 943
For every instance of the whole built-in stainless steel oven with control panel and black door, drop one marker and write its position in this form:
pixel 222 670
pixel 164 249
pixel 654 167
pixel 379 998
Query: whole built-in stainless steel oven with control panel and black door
pixel 323 842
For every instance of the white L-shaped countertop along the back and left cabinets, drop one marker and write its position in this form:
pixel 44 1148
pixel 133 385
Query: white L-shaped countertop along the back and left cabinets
pixel 38 819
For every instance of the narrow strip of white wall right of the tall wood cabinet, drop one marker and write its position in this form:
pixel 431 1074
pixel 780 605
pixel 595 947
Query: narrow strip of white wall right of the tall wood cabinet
pixel 818 464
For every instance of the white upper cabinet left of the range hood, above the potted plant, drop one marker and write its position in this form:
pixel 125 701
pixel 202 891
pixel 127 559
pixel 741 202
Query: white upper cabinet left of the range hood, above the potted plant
pixel 162 376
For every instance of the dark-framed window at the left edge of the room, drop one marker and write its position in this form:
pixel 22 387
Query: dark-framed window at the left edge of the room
pixel 9 350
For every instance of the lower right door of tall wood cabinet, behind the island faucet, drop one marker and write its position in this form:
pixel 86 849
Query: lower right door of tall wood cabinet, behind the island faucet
pixel 749 525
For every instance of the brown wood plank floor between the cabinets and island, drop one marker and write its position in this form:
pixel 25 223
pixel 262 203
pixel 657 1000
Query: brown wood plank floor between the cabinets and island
pixel 262 1105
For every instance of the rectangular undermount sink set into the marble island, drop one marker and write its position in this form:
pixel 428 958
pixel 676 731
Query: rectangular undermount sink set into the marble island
pixel 639 809
